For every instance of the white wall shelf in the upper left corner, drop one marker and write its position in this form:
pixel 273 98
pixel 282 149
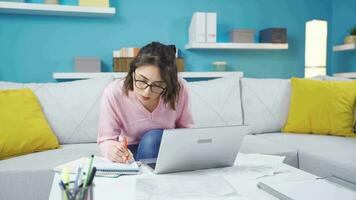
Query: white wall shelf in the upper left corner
pixel 50 9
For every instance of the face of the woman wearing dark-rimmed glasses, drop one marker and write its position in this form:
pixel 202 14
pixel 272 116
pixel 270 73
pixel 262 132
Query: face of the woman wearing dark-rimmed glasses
pixel 148 84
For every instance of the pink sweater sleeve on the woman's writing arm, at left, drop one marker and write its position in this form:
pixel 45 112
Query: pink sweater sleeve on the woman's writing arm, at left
pixel 109 123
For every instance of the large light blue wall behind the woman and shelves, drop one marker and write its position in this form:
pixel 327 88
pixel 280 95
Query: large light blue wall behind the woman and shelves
pixel 33 47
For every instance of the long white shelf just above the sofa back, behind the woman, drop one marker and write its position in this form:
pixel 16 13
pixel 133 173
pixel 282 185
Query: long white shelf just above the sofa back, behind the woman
pixel 77 75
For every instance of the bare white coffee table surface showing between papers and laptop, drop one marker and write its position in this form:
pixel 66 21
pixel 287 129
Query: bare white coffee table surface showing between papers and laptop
pixel 124 186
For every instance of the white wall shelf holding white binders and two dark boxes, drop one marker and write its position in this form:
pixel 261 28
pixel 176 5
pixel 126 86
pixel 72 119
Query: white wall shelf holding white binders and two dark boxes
pixel 252 46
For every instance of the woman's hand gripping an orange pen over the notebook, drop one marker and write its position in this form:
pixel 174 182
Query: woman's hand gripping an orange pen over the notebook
pixel 117 152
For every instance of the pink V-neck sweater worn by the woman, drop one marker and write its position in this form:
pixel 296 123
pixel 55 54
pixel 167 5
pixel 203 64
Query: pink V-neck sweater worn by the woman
pixel 125 115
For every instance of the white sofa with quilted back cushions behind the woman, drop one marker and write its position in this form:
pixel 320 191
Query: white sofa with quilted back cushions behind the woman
pixel 72 111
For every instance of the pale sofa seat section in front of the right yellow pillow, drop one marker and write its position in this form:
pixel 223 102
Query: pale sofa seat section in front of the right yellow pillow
pixel 321 155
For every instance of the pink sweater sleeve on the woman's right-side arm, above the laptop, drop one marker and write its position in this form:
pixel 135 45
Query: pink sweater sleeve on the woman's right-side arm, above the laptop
pixel 185 119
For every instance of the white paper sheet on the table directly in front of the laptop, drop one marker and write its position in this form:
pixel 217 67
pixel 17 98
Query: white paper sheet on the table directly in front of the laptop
pixel 185 187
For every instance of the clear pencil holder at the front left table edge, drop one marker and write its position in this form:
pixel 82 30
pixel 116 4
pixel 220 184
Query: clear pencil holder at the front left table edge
pixel 82 193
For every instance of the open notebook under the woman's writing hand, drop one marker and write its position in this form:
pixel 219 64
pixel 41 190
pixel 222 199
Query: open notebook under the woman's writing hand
pixel 104 167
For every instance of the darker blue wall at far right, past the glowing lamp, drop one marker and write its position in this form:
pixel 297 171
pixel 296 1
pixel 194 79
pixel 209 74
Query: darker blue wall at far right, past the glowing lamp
pixel 343 18
